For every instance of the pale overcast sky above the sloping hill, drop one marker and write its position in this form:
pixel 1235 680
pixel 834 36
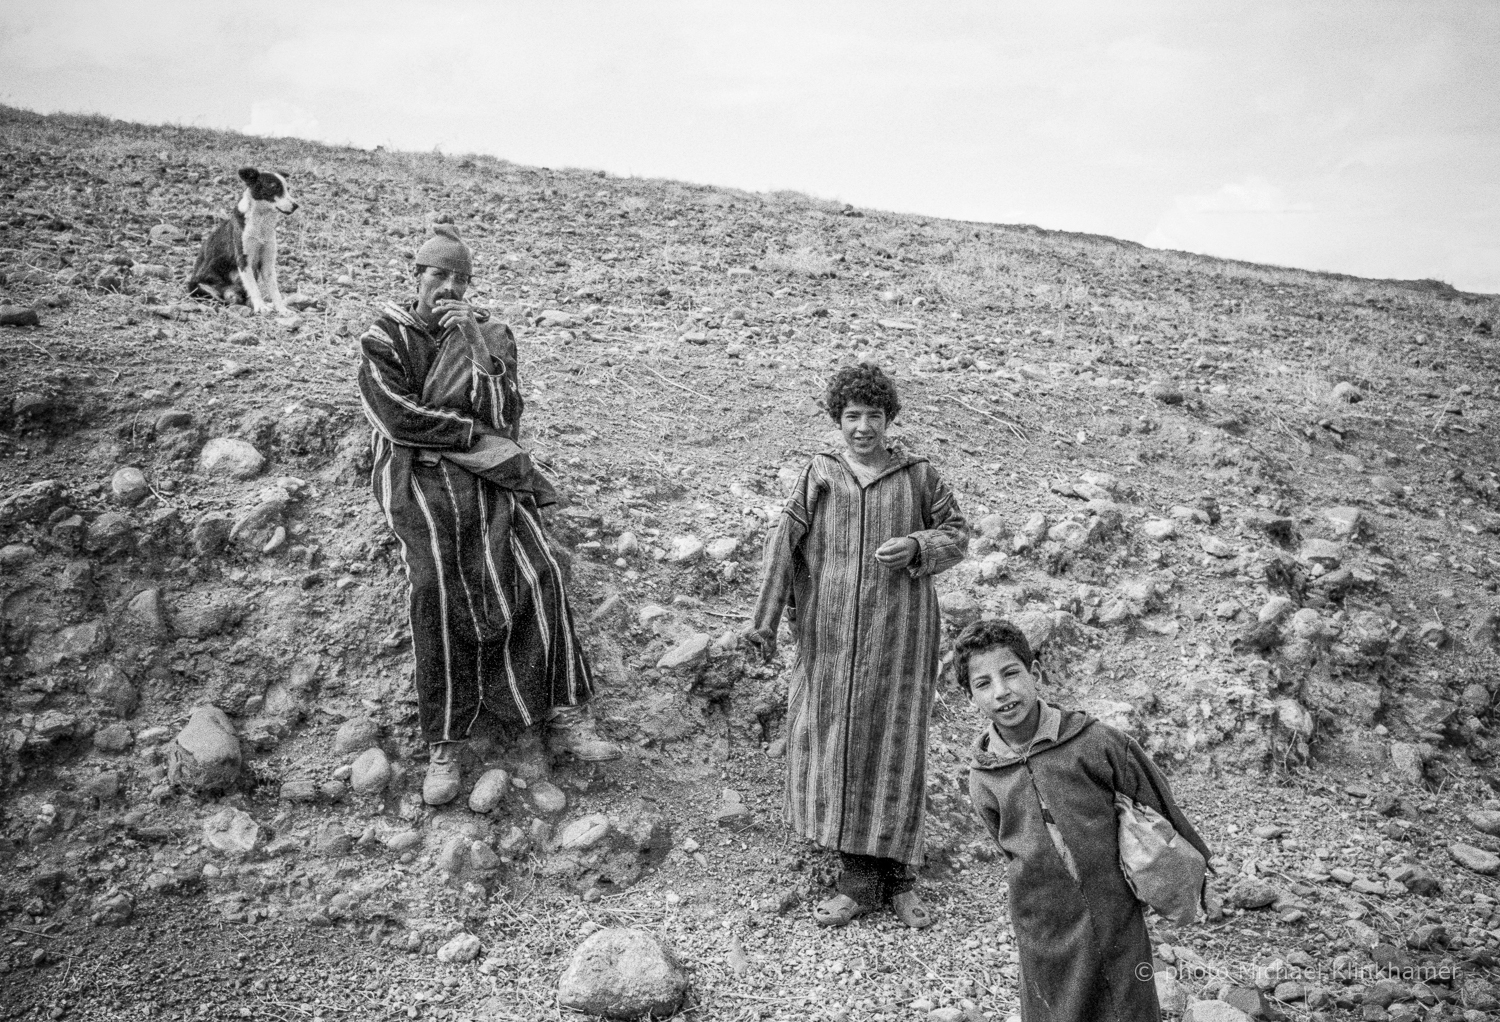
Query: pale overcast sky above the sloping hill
pixel 1354 136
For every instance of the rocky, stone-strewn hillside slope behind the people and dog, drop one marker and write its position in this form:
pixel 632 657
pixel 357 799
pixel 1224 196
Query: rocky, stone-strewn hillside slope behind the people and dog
pixel 1252 516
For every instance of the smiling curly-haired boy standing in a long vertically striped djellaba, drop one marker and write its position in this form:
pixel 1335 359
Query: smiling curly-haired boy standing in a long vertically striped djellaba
pixel 851 562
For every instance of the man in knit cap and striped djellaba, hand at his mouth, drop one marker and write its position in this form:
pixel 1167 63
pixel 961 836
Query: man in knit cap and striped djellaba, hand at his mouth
pixel 491 625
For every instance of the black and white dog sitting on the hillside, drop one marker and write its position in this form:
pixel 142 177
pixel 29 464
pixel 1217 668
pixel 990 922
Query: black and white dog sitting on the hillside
pixel 238 263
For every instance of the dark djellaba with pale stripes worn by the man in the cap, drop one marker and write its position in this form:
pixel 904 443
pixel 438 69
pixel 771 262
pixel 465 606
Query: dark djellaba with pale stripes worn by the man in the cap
pixel 491 625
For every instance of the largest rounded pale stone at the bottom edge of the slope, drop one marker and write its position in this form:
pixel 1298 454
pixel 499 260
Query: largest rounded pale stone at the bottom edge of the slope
pixel 623 975
